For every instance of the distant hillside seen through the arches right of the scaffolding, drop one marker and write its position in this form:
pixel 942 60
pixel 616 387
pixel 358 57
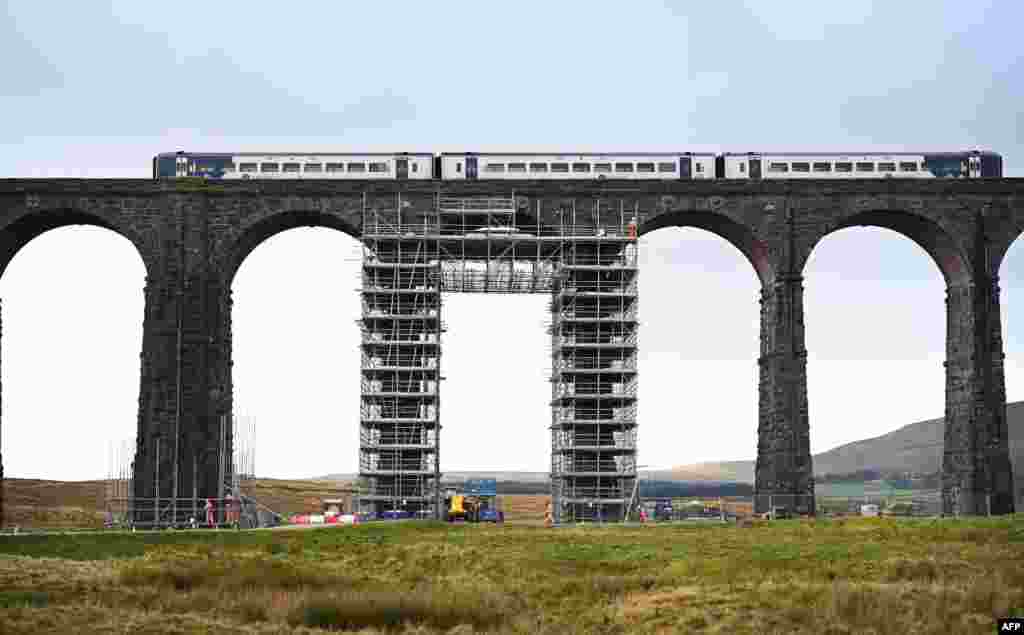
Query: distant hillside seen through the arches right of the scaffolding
pixel 915 448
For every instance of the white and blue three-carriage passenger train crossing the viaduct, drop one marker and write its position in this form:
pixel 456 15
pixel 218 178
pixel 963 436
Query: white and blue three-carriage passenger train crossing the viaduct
pixel 633 166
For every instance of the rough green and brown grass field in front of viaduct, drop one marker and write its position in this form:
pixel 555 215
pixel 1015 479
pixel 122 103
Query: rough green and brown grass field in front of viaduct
pixel 858 576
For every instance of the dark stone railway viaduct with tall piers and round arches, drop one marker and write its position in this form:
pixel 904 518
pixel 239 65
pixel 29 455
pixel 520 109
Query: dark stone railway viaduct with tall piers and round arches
pixel 194 236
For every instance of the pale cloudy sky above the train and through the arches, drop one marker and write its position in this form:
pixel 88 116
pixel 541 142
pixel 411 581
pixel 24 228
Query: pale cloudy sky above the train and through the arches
pixel 96 90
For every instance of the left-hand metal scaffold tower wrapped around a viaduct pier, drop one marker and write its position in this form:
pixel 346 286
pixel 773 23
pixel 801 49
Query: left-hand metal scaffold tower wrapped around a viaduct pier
pixel 401 365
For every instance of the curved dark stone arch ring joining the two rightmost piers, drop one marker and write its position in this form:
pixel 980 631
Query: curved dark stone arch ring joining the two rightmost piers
pixel 937 242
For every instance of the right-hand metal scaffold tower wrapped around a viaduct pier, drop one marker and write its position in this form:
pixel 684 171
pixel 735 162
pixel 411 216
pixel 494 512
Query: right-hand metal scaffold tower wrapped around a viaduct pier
pixel 594 368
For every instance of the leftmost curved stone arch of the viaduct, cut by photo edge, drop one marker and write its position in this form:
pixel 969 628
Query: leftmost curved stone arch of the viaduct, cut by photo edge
pixel 21 230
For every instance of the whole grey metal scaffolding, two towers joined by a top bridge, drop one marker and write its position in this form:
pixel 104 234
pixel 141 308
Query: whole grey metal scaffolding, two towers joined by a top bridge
pixel 586 260
